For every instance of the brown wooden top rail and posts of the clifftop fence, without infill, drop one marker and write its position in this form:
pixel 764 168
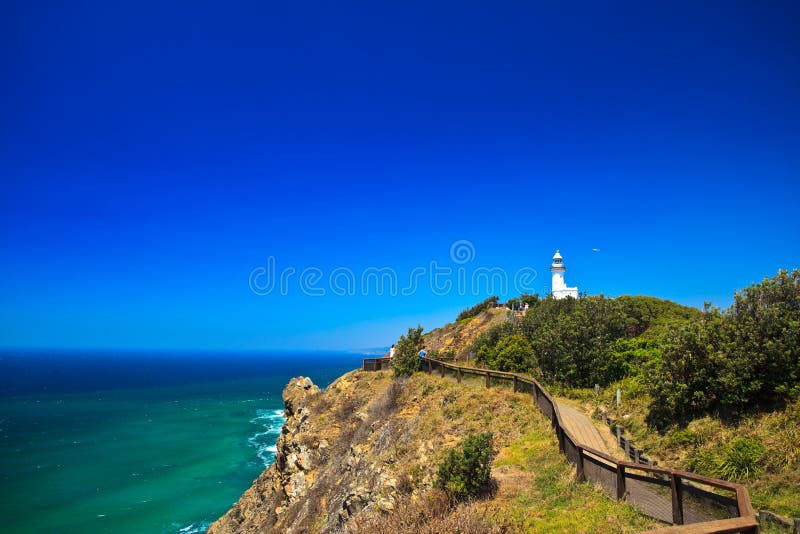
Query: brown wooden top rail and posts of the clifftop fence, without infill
pixel 746 522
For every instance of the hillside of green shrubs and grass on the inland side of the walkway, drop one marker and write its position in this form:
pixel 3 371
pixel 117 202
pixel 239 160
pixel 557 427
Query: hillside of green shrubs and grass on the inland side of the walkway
pixel 712 391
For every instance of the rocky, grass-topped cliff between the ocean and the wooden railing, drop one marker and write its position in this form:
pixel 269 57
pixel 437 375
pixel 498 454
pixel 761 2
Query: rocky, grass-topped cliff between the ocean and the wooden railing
pixel 361 456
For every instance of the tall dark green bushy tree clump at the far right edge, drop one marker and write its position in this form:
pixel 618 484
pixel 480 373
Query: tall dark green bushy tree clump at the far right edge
pixel 744 358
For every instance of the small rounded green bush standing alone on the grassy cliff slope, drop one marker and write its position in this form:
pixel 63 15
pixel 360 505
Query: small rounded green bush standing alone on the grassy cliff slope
pixel 467 472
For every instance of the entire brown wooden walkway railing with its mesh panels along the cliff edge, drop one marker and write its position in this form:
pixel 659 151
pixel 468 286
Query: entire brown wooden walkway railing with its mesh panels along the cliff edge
pixel 693 503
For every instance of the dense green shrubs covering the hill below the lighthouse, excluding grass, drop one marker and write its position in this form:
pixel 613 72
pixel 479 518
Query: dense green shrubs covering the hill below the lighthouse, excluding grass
pixel 691 362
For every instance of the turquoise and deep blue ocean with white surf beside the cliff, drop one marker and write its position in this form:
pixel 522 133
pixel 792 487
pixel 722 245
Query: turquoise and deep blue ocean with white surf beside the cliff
pixel 140 442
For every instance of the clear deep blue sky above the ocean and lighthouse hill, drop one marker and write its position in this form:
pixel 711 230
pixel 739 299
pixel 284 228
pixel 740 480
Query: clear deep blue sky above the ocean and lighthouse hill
pixel 153 158
